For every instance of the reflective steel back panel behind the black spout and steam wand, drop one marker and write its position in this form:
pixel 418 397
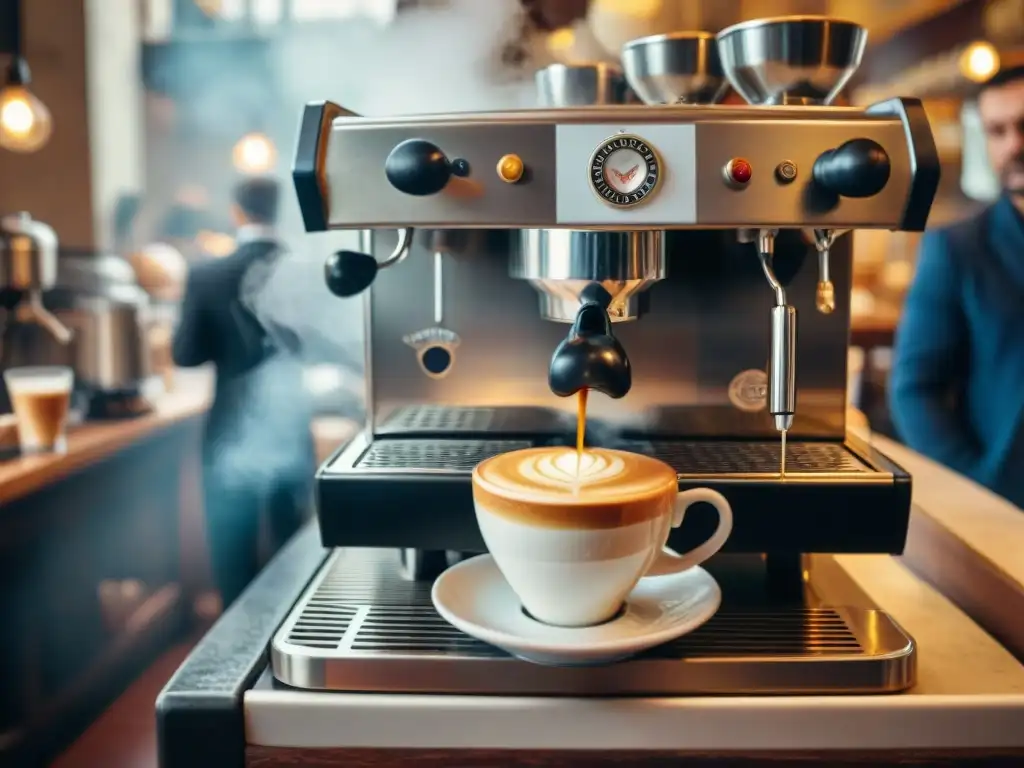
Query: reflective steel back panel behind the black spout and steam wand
pixel 698 353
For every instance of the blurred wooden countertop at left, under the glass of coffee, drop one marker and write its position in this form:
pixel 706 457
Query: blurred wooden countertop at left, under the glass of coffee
pixel 94 442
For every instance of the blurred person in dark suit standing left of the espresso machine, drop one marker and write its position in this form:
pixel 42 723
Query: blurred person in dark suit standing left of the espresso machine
pixel 258 454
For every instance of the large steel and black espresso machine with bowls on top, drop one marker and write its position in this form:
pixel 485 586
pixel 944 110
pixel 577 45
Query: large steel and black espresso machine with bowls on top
pixel 710 229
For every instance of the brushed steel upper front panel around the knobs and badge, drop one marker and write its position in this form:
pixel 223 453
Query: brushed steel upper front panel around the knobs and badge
pixel 556 191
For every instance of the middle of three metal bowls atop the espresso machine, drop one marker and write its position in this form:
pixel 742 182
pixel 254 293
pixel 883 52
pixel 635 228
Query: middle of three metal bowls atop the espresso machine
pixel 680 68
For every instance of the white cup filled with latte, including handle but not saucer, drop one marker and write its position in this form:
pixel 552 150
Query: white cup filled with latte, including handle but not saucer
pixel 574 541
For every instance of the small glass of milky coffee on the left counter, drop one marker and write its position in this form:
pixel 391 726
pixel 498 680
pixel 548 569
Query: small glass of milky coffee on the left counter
pixel 40 398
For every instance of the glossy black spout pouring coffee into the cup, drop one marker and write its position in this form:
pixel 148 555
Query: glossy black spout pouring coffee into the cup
pixel 591 358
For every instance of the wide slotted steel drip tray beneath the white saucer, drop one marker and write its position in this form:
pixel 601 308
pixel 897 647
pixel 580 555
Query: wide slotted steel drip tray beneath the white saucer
pixel 362 627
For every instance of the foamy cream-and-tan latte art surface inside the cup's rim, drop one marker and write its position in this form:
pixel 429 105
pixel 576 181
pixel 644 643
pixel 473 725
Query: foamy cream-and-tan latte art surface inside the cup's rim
pixel 551 475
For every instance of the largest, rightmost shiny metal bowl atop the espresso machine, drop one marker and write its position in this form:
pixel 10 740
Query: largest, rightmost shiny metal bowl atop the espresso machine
pixel 791 60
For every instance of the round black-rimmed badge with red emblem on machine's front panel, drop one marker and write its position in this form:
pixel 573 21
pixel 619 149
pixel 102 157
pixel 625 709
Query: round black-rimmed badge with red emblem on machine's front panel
pixel 625 170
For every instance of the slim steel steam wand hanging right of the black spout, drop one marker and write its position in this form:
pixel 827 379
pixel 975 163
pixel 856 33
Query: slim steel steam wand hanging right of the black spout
pixel 783 369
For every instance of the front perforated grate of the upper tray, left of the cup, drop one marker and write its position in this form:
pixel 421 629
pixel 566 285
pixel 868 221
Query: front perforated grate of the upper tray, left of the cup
pixel 454 456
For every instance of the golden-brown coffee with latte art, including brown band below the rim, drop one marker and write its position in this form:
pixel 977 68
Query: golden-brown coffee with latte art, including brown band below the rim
pixel 544 487
